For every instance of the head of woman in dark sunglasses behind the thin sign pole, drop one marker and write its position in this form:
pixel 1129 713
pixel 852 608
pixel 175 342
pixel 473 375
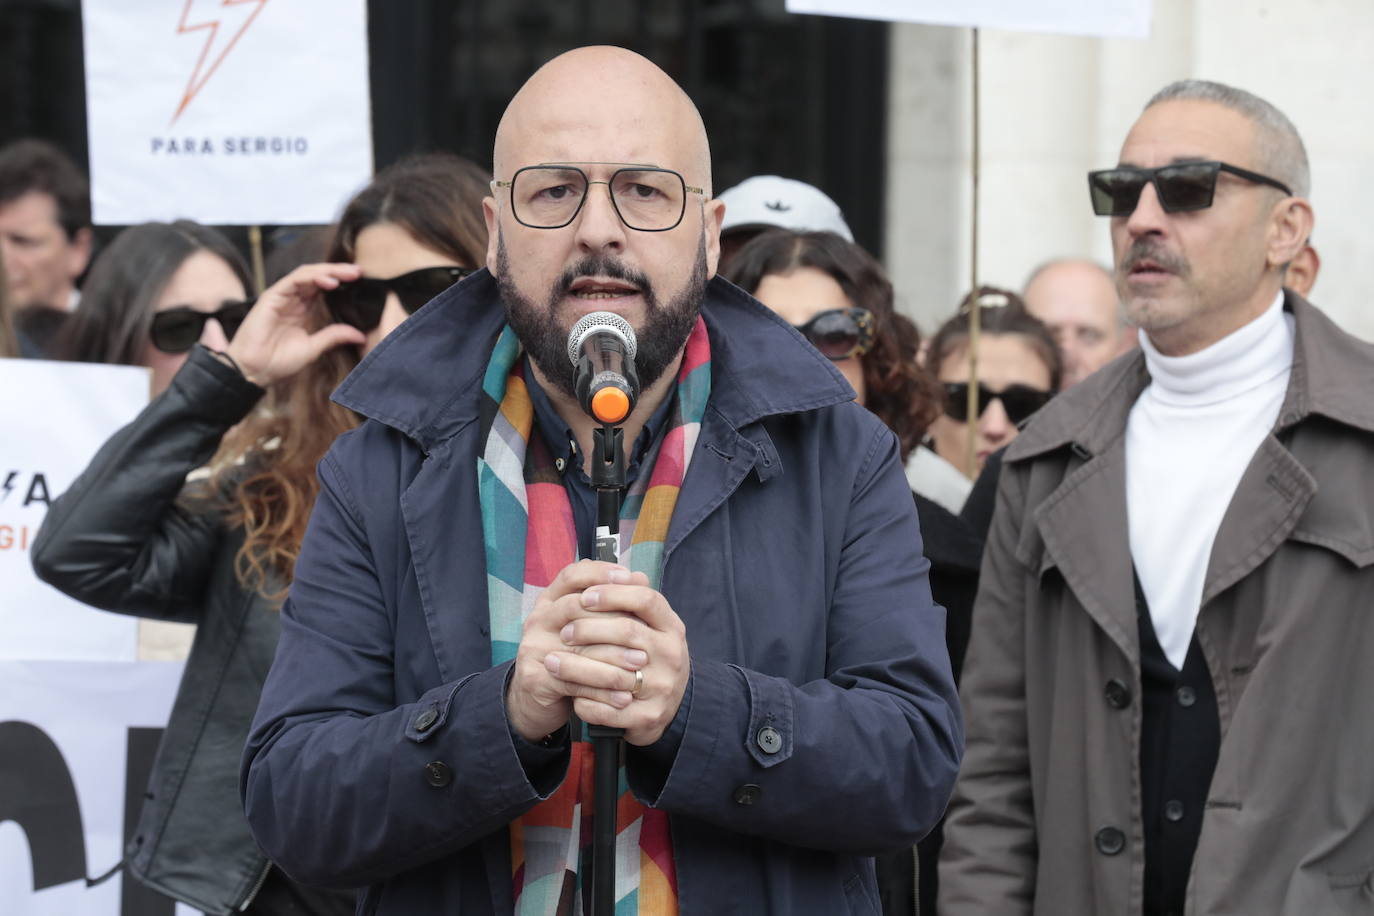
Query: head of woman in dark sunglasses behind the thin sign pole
pixel 1019 373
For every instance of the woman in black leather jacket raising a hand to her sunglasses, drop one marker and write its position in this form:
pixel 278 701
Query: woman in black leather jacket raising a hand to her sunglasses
pixel 252 406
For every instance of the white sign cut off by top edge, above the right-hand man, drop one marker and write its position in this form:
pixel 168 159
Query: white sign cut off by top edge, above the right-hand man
pixel 1105 19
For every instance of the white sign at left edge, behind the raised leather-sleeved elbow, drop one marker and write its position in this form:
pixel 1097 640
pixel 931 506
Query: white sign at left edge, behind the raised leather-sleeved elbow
pixel 53 420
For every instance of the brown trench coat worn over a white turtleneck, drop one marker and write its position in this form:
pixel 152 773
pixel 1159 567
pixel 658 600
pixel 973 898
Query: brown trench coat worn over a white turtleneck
pixel 1287 628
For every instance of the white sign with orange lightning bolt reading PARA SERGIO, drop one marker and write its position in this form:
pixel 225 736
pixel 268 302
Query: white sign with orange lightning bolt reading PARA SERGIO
pixel 226 112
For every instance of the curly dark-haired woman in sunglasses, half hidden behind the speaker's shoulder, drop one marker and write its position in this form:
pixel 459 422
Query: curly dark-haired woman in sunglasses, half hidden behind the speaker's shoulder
pixel 840 299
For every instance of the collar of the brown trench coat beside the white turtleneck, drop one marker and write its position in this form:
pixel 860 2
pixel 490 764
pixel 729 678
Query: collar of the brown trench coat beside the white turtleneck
pixel 1331 378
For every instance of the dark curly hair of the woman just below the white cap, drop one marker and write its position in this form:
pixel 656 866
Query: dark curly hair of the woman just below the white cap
pixel 905 396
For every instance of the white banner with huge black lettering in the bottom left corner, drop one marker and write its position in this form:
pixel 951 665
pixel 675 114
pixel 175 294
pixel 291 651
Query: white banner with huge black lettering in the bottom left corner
pixel 76 740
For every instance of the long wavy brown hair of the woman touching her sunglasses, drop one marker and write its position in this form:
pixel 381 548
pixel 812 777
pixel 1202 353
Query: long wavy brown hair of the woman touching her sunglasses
pixel 438 200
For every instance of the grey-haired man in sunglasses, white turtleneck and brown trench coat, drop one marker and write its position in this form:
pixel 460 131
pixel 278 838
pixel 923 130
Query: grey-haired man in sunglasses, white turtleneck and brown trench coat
pixel 1169 686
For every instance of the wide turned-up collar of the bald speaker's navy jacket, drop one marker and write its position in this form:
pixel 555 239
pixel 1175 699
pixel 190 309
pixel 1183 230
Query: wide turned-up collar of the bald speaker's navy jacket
pixel 425 380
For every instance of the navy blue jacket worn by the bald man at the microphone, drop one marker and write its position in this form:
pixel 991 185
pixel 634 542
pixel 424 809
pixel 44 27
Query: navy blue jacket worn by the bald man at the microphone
pixel 793 560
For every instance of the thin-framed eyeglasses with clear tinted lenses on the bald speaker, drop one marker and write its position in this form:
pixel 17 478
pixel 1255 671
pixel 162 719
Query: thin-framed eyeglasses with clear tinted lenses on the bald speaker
pixel 646 198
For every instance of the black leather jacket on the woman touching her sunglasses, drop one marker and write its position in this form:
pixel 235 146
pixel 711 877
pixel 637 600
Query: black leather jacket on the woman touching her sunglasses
pixel 124 542
